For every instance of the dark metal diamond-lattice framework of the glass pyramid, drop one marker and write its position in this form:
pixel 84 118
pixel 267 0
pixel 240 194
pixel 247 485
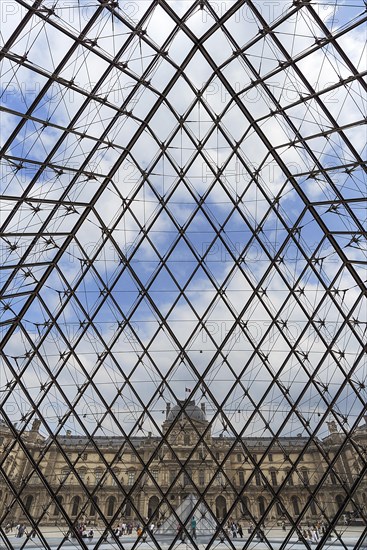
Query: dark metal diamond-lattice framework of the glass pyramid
pixel 183 217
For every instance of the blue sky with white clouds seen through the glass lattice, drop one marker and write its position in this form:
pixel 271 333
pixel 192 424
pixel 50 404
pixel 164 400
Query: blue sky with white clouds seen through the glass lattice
pixel 230 189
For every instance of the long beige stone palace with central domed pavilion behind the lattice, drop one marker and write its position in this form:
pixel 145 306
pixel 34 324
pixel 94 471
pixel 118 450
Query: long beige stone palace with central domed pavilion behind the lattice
pixel 68 478
